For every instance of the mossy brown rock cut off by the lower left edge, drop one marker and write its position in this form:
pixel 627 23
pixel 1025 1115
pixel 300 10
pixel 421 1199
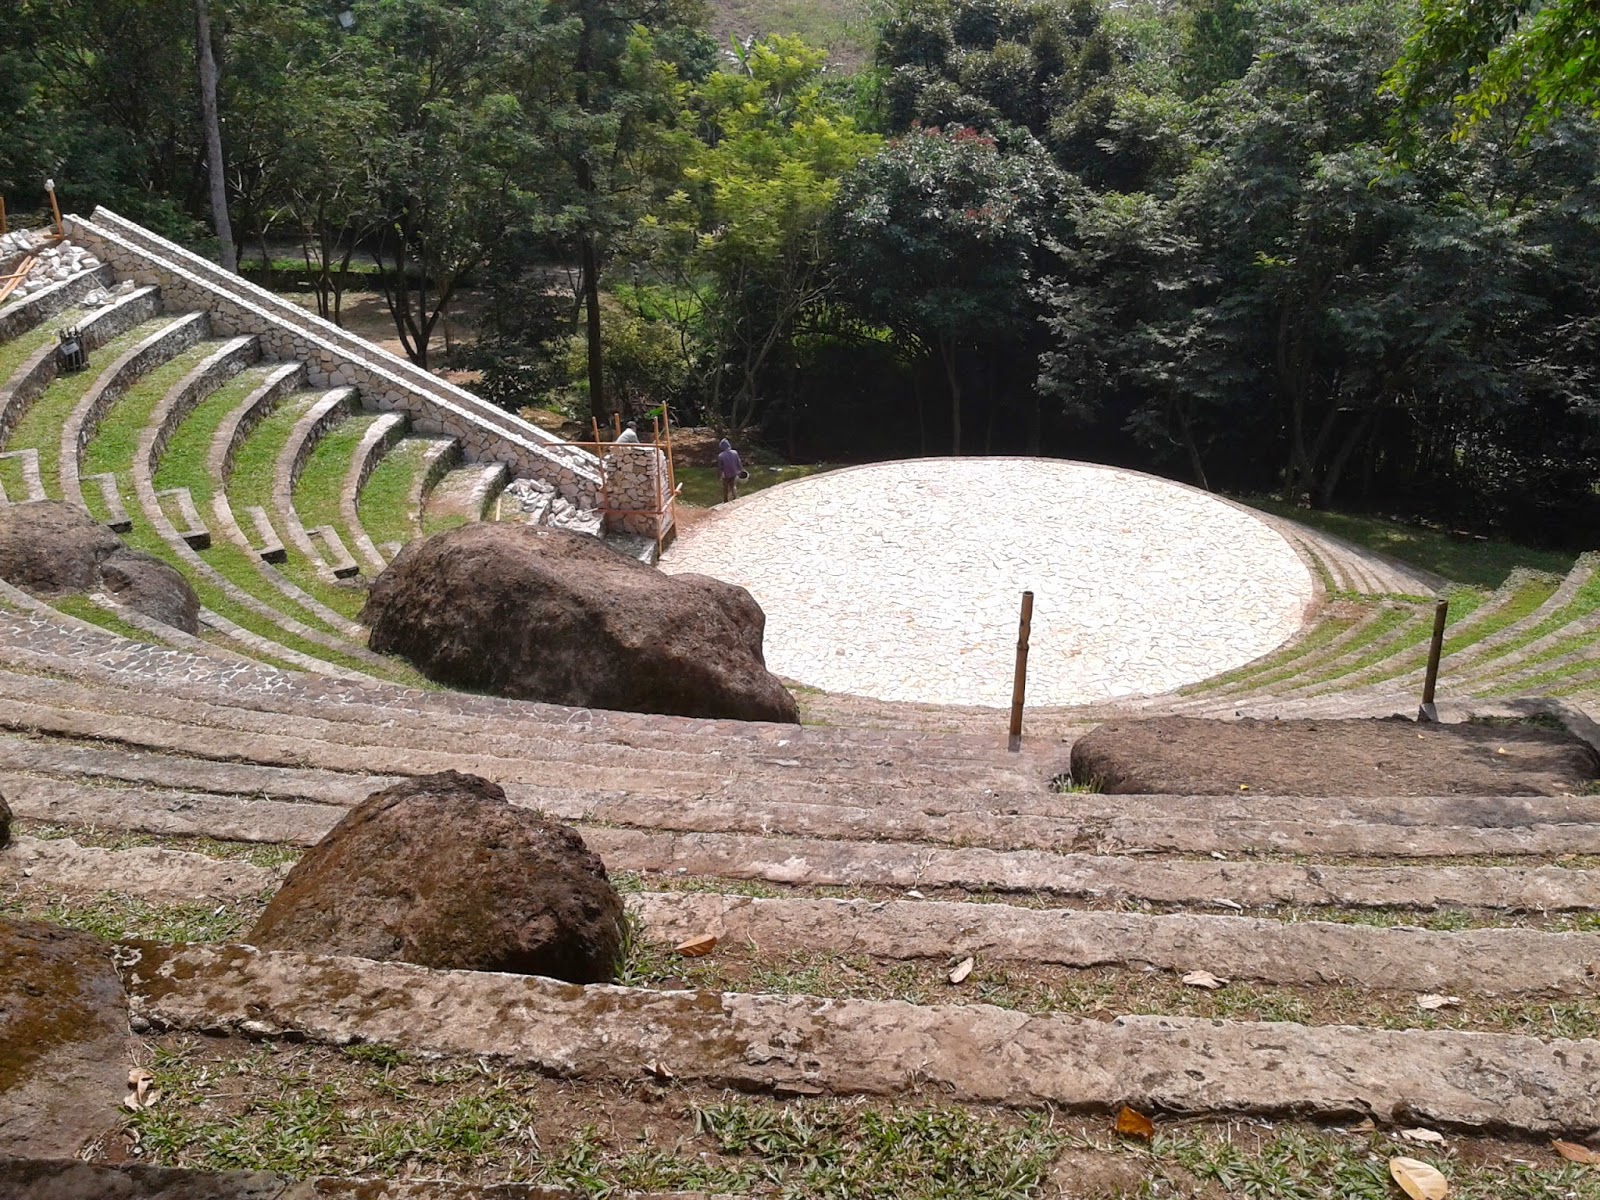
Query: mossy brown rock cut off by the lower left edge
pixel 65 1044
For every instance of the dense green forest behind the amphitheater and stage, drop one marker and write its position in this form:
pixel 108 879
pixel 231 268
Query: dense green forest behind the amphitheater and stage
pixel 1226 241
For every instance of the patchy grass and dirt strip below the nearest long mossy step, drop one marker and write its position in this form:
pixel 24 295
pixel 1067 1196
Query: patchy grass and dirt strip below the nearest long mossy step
pixel 377 1111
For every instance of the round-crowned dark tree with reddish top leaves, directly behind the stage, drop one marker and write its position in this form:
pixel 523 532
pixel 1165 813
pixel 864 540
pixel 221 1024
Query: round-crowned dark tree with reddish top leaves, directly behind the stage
pixel 942 238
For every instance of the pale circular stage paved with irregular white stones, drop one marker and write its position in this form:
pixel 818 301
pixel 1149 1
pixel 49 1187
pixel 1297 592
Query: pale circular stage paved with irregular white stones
pixel 903 580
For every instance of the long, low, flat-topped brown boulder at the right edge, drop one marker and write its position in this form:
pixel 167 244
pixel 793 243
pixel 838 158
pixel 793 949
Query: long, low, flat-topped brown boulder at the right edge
pixel 1183 756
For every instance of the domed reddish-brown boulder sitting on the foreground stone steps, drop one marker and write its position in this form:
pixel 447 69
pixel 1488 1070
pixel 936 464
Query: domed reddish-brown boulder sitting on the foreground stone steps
pixel 442 871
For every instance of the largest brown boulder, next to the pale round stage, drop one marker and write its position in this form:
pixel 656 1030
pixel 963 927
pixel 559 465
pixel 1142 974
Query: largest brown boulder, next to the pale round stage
pixel 558 617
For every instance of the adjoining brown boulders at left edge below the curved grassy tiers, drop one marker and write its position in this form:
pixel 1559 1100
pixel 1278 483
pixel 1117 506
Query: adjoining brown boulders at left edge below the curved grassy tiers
pixel 49 548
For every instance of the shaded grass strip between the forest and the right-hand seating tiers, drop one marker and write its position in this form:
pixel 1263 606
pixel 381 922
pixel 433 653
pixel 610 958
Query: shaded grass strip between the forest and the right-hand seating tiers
pixel 1481 564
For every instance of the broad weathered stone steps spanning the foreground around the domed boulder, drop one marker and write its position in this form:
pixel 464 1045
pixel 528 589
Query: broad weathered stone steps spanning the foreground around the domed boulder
pixel 844 873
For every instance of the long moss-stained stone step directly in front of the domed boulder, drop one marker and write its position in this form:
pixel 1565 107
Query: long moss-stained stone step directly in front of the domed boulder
pixel 969 1054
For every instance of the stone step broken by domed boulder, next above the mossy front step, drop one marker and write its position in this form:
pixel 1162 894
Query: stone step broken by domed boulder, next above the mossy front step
pixel 1489 962
